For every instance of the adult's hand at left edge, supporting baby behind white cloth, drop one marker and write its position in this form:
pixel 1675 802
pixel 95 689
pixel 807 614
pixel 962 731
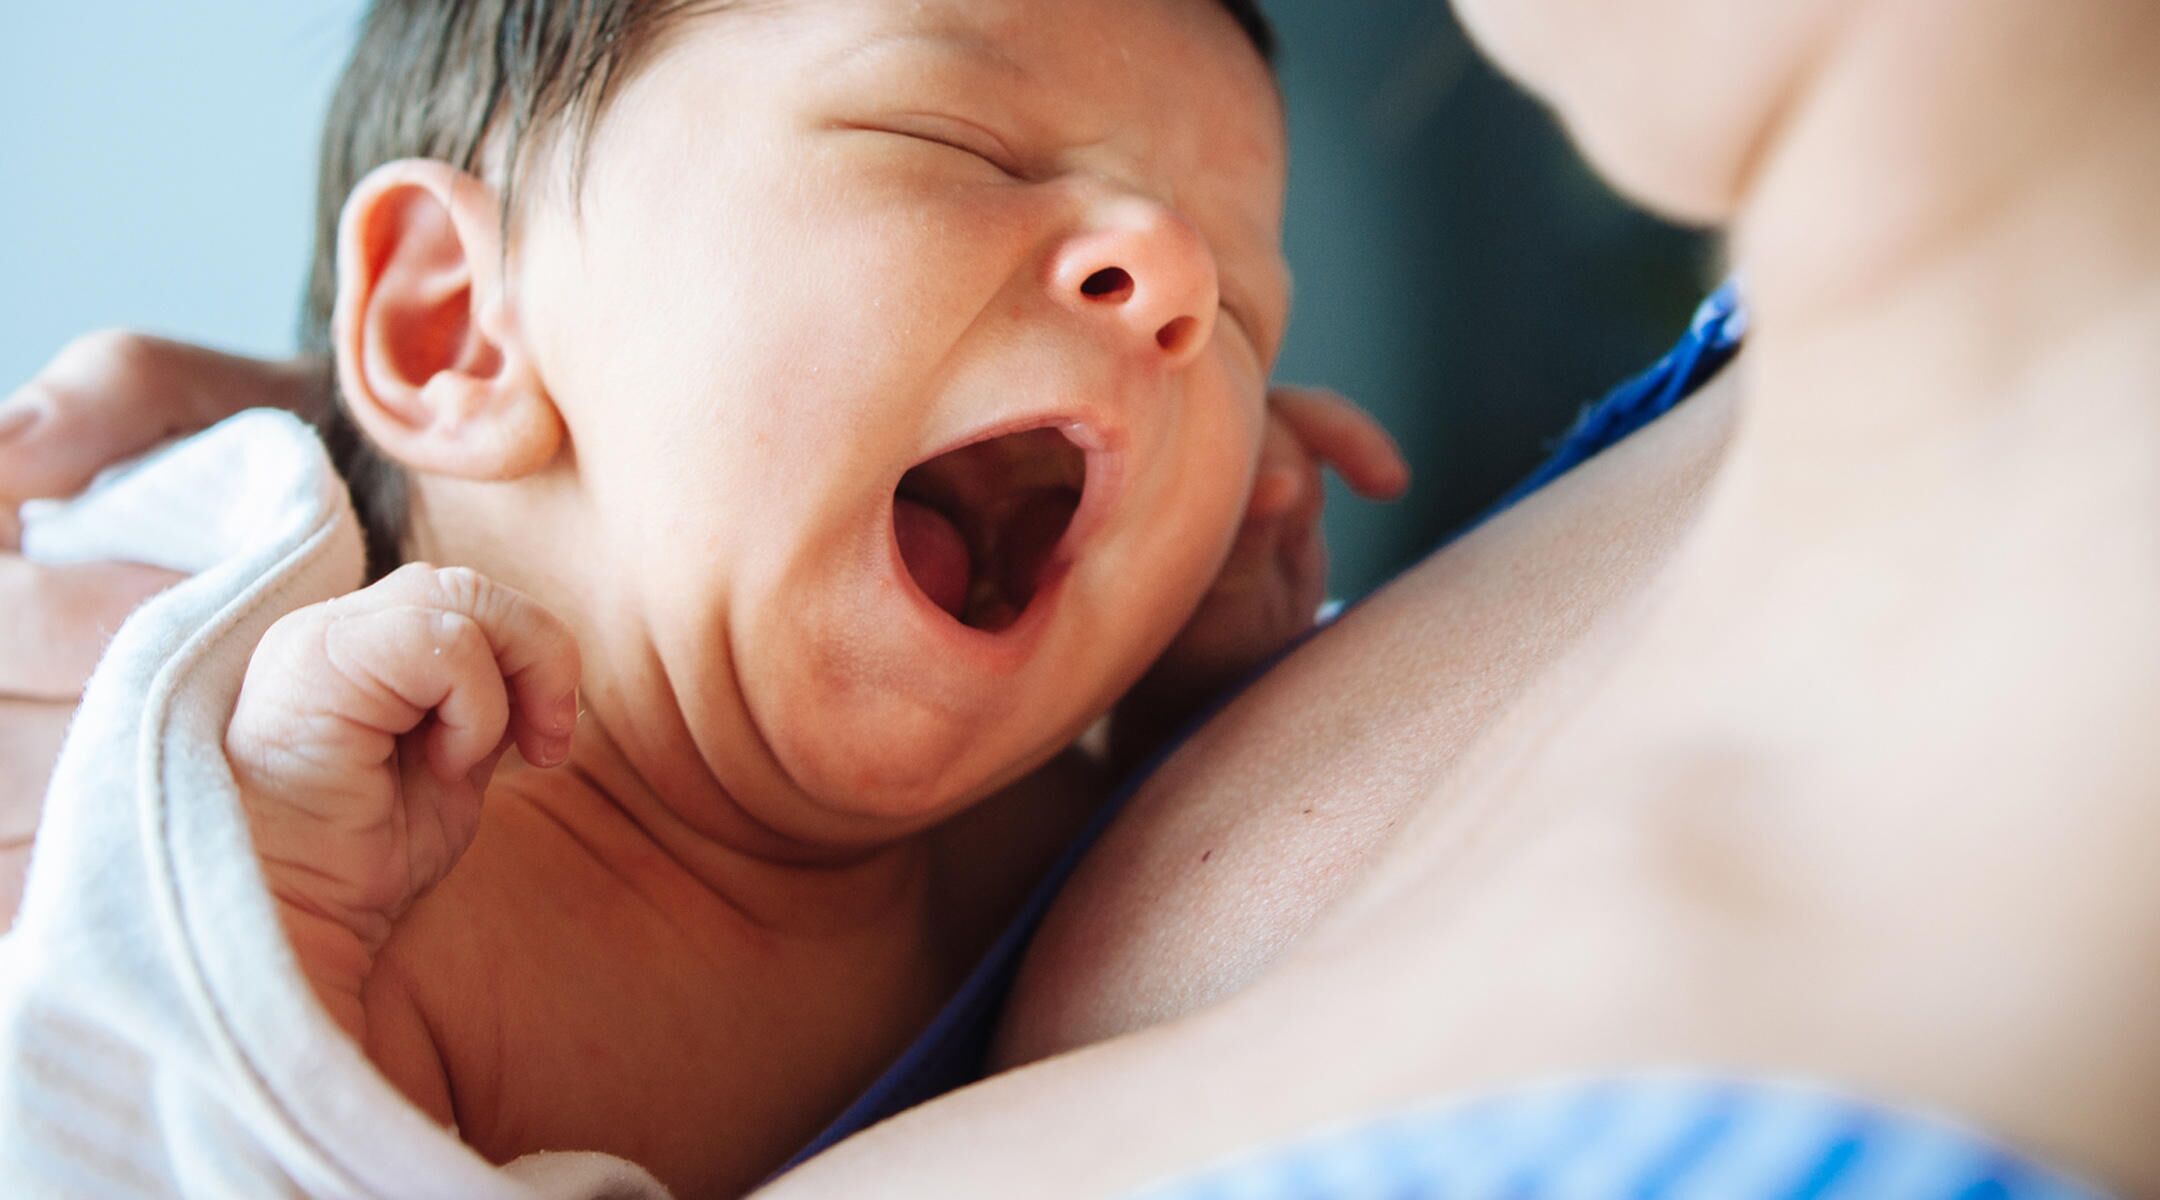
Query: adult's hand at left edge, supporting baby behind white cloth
pixel 105 398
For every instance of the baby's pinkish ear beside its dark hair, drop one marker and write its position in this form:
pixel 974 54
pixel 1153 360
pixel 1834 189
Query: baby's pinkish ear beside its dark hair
pixel 429 346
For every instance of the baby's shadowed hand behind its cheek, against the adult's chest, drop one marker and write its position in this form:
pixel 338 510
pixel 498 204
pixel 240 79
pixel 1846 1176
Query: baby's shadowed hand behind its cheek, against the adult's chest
pixel 1278 573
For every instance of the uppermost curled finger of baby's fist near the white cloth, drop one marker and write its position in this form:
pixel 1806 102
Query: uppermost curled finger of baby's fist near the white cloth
pixel 535 651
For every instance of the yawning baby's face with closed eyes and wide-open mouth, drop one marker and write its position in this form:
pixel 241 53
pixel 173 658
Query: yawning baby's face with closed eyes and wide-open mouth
pixel 915 362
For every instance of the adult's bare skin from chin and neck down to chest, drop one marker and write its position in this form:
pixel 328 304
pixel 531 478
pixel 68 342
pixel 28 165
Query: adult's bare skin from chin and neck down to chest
pixel 1824 761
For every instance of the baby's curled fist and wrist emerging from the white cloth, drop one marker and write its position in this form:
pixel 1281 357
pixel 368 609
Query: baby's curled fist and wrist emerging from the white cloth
pixel 364 739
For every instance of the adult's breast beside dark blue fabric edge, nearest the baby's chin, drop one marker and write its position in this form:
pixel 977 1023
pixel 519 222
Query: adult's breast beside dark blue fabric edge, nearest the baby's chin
pixel 1243 838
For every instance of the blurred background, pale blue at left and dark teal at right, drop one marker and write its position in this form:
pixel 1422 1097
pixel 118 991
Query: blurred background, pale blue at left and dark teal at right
pixel 1459 271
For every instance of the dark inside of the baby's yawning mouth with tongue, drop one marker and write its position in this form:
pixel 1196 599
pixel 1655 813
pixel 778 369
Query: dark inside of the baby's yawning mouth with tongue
pixel 980 526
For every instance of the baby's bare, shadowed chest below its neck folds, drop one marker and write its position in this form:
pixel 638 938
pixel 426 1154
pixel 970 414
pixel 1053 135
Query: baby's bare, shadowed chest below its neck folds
pixel 573 985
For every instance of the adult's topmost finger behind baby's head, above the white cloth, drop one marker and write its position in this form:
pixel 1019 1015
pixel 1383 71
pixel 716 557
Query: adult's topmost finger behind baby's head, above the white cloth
pixel 111 396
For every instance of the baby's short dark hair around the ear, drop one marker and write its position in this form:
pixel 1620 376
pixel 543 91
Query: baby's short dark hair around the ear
pixel 478 85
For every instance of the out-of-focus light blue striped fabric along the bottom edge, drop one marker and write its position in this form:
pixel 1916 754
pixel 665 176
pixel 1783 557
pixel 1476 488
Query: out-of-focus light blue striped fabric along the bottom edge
pixel 1638 1138
